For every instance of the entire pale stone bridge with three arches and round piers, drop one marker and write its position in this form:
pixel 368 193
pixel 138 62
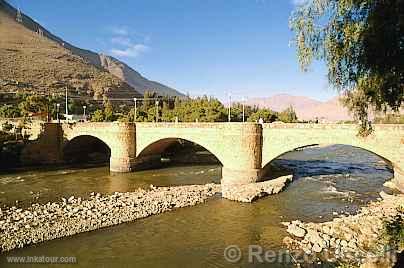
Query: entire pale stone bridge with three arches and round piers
pixel 244 149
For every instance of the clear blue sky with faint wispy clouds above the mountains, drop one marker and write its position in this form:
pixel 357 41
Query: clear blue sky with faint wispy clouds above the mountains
pixel 198 46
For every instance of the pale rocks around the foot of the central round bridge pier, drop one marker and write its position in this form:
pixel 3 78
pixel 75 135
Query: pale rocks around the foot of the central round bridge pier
pixel 253 191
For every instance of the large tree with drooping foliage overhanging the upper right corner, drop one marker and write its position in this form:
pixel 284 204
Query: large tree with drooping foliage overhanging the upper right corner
pixel 361 42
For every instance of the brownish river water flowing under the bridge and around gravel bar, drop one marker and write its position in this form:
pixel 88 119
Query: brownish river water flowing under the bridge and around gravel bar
pixel 328 180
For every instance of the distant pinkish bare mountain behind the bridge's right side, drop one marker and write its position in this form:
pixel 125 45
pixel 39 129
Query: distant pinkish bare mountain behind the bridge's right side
pixel 306 108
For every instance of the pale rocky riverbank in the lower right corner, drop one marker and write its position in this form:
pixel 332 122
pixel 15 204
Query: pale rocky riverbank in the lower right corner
pixel 353 239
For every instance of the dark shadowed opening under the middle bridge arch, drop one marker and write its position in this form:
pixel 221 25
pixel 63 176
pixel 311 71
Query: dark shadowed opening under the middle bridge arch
pixel 175 151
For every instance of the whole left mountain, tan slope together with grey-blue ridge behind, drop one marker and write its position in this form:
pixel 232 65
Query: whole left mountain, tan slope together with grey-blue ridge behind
pixel 26 39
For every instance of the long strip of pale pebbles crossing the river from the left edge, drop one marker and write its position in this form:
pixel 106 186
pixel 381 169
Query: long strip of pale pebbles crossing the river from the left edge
pixel 38 223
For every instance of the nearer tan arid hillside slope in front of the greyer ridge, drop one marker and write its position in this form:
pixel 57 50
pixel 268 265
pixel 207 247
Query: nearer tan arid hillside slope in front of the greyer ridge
pixel 29 61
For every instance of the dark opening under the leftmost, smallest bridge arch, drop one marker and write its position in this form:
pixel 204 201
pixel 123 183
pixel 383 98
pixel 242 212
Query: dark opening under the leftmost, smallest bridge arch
pixel 86 149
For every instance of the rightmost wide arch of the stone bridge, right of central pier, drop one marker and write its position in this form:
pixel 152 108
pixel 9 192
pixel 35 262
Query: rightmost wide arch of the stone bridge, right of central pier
pixel 387 141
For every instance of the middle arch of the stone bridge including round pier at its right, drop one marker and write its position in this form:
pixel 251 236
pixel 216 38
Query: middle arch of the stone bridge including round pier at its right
pixel 236 145
